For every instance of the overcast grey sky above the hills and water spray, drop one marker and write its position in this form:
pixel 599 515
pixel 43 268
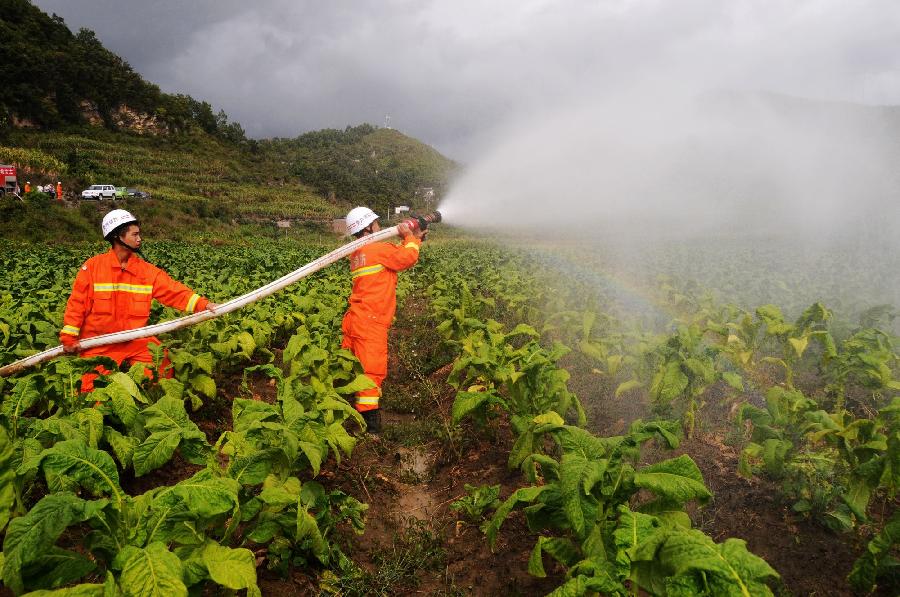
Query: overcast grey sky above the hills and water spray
pixel 451 71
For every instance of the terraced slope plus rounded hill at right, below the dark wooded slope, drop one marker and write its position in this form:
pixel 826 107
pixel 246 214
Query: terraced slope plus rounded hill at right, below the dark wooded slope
pixel 203 185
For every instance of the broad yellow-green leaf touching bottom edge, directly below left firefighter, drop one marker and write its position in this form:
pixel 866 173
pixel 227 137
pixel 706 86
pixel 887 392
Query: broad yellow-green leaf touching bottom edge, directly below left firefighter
pixel 150 572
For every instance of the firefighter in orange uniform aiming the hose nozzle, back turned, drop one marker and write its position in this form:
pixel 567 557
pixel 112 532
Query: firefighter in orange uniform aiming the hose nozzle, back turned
pixel 373 302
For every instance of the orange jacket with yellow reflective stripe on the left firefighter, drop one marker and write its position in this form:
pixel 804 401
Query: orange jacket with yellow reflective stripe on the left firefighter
pixel 107 297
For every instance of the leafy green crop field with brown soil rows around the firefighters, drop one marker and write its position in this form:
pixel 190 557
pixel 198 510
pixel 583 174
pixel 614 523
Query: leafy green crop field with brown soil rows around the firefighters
pixel 555 424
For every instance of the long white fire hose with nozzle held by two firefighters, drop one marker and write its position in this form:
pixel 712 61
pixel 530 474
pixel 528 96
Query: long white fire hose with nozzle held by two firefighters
pixel 229 306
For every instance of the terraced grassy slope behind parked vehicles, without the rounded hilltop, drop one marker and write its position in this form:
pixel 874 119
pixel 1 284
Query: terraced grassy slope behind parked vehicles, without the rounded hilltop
pixel 199 184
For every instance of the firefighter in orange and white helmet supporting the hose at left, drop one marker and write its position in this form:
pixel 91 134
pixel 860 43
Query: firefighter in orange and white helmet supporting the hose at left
pixel 113 292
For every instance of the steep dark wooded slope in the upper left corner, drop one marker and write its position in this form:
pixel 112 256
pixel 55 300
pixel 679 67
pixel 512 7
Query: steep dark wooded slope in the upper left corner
pixel 53 77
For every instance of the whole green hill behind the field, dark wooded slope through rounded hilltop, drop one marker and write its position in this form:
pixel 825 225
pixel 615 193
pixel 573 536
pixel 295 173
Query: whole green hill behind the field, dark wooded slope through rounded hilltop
pixel 78 113
